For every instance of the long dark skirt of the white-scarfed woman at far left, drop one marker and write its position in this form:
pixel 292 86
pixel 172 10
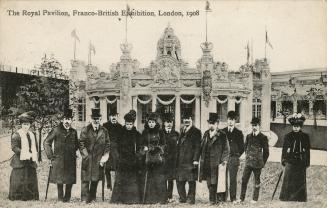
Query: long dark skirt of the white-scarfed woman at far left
pixel 23 184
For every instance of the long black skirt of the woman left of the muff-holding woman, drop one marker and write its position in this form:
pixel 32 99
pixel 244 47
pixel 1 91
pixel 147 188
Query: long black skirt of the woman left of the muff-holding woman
pixel 126 188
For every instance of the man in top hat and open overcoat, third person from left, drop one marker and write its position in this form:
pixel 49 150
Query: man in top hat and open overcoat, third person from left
pixel 94 148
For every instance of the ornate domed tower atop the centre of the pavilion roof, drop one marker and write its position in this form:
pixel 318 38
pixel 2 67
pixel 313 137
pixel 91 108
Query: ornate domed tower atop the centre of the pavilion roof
pixel 169 45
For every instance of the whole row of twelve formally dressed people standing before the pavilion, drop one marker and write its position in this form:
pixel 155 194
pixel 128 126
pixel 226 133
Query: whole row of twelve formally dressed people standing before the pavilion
pixel 142 167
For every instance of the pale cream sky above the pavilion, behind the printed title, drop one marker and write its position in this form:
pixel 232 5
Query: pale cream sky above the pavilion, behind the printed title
pixel 297 31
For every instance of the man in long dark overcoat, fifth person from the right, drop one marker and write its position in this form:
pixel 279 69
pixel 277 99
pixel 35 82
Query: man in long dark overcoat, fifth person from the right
pixel 188 153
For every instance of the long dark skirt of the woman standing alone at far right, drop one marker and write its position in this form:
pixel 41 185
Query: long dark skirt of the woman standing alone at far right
pixel 294 187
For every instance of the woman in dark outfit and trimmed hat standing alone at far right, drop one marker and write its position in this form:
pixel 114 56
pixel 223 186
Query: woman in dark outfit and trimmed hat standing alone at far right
pixel 296 159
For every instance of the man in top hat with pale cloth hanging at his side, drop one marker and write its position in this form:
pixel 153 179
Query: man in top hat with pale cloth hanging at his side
pixel 214 156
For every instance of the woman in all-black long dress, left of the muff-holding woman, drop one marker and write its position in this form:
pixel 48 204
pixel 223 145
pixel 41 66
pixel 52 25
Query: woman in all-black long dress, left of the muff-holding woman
pixel 127 188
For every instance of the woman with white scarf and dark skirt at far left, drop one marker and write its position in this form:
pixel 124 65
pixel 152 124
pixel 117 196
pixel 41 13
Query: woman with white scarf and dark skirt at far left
pixel 23 178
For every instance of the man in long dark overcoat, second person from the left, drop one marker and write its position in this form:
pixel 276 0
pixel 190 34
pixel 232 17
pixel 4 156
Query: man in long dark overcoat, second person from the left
pixel 63 155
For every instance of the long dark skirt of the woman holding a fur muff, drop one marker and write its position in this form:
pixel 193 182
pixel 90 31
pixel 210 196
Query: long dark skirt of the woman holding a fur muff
pixel 154 186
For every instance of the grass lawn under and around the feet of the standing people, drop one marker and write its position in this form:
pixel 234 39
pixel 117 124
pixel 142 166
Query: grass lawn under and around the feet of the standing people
pixel 316 181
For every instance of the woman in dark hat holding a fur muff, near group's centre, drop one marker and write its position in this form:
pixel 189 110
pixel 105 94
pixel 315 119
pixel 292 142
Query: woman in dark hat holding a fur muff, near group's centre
pixel 154 186
